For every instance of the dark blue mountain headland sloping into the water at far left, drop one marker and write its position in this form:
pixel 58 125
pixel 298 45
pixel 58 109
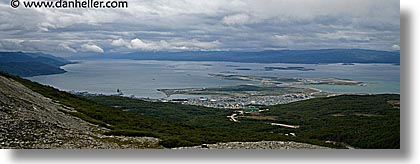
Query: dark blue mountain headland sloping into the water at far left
pixel 31 64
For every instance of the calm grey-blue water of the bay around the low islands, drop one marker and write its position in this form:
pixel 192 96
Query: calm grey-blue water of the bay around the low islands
pixel 142 78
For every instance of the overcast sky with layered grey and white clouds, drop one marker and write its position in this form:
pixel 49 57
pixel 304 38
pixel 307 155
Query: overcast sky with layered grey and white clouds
pixel 173 25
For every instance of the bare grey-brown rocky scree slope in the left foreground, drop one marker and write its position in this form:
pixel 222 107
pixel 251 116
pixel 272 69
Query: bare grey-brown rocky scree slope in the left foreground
pixel 30 120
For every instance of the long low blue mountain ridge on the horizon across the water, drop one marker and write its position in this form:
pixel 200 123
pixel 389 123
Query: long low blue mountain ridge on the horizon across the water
pixel 274 56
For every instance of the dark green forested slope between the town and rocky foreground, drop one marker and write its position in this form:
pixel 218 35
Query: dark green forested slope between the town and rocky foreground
pixel 370 121
